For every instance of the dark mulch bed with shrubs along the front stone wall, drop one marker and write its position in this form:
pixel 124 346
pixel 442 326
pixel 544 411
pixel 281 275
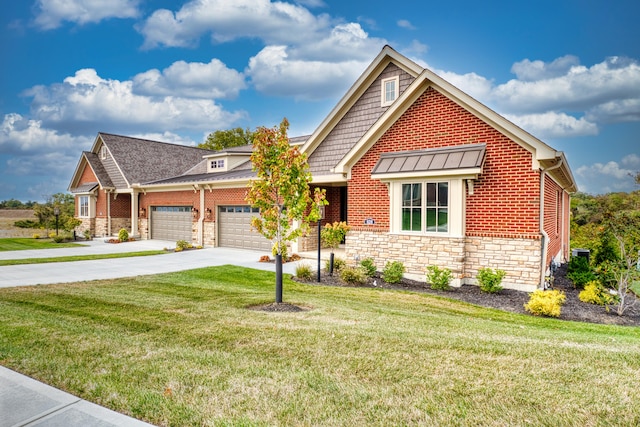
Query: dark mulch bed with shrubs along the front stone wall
pixel 508 299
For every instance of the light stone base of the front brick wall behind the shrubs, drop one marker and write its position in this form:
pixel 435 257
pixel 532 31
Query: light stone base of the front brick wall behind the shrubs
pixel 519 257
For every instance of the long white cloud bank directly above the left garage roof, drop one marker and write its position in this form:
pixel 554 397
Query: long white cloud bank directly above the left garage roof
pixel 85 103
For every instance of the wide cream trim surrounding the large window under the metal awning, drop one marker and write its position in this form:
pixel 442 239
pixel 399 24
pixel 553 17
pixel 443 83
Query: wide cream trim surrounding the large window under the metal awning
pixel 456 212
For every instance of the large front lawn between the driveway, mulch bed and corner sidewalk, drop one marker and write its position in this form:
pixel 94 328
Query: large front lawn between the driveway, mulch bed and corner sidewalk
pixel 183 349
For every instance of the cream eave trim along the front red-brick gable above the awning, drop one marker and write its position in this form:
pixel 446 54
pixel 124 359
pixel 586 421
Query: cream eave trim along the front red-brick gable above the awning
pixel 426 79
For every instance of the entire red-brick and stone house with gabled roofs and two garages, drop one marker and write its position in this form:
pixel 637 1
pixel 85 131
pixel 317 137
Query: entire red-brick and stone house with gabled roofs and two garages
pixel 422 172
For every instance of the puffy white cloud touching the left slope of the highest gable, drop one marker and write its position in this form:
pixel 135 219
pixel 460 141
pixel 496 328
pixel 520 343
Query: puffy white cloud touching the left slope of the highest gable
pixel 274 74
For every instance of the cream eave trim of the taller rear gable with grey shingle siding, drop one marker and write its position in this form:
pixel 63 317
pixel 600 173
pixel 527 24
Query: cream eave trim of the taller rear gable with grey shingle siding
pixel 384 58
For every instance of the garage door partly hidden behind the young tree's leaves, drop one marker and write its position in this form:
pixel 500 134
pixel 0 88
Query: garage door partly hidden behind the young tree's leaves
pixel 234 229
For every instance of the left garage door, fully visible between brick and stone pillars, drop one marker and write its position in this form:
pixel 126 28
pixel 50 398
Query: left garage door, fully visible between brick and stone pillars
pixel 171 223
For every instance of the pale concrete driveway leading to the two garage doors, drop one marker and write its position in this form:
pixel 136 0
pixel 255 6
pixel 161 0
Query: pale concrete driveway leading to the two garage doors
pixel 64 272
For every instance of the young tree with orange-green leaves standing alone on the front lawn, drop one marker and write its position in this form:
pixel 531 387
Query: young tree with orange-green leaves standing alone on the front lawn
pixel 281 191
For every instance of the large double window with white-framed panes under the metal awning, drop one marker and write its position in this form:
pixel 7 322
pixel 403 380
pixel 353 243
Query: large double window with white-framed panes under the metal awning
pixel 425 207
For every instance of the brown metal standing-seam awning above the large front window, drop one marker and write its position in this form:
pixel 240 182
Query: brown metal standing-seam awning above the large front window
pixel 458 160
